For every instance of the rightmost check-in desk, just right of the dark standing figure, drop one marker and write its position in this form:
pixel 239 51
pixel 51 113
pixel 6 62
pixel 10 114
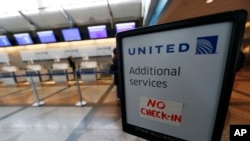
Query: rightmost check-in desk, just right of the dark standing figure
pixel 88 71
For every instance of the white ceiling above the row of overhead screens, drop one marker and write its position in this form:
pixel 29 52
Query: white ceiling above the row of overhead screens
pixel 56 16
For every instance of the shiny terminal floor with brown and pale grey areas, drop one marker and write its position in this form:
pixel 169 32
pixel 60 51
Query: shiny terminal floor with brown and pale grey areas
pixel 59 119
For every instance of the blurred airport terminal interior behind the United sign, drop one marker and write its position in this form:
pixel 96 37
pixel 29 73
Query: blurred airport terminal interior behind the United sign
pixel 41 98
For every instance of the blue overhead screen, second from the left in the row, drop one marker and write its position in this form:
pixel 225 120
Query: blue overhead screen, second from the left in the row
pixel 23 39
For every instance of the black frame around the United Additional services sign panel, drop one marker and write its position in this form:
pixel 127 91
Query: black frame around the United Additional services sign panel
pixel 238 19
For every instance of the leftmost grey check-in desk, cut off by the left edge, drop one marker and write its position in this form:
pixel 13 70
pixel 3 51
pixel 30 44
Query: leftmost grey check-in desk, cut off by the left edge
pixel 7 78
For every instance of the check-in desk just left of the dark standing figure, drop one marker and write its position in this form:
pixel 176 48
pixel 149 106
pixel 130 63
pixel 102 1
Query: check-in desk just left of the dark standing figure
pixel 59 72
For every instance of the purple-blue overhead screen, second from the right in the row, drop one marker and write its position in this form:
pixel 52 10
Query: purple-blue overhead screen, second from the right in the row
pixel 96 32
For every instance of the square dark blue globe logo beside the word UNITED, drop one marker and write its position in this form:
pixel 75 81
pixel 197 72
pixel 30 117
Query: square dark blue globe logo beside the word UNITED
pixel 206 45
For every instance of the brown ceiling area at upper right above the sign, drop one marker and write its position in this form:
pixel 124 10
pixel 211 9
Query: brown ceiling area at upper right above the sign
pixel 184 9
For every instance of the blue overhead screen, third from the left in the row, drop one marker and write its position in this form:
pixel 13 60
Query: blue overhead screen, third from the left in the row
pixel 46 36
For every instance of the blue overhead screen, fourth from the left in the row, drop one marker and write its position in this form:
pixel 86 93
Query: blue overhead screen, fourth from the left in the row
pixel 71 34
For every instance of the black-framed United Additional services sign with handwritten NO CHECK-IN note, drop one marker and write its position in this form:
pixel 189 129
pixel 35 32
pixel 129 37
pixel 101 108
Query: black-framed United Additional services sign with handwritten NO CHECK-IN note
pixel 176 78
